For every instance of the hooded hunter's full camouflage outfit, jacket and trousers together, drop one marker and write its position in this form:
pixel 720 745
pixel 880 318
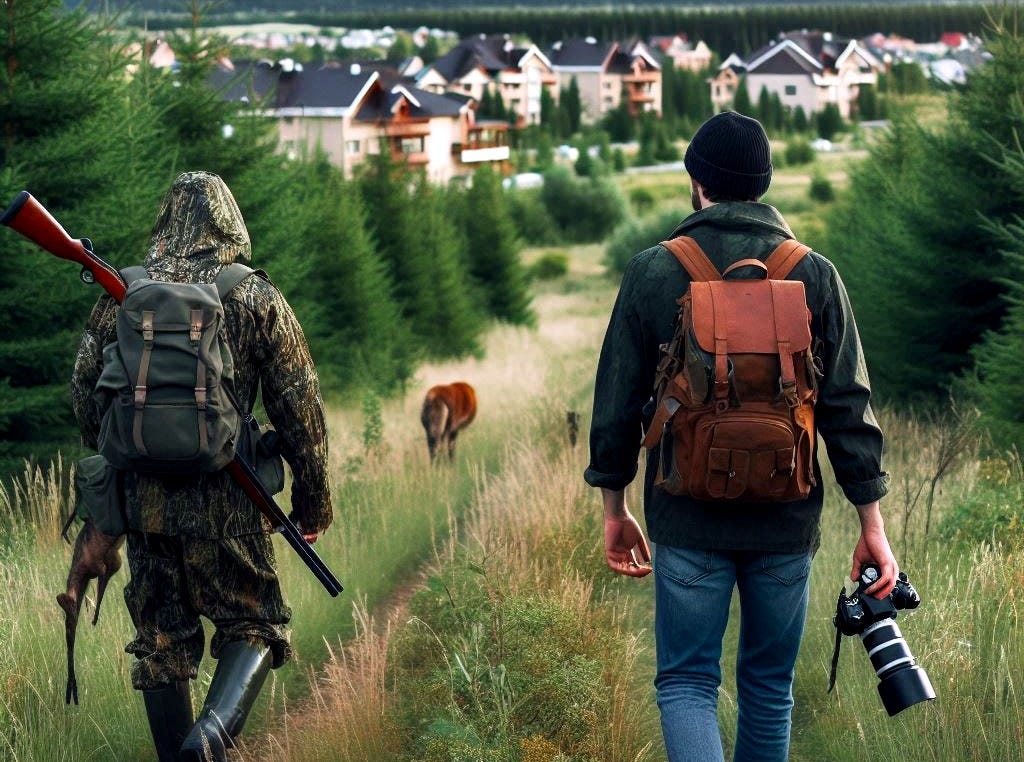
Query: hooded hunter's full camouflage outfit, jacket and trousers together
pixel 197 545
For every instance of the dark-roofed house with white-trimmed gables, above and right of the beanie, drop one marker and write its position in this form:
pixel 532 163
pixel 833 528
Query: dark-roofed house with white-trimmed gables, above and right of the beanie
pixel 810 70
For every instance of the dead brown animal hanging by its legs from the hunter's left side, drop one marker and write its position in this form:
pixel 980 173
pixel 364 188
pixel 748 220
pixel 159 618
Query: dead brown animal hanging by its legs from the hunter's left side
pixel 96 557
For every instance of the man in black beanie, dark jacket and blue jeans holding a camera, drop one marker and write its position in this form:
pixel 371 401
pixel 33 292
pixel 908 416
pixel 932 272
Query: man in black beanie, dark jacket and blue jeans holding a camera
pixel 705 549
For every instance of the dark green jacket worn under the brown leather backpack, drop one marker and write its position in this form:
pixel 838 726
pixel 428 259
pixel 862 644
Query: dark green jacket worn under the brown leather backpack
pixel 645 318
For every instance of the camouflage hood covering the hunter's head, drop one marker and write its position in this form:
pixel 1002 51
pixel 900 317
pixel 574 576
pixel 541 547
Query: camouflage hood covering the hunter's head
pixel 199 229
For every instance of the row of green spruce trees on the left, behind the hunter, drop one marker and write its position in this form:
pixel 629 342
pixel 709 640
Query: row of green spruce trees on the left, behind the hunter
pixel 385 272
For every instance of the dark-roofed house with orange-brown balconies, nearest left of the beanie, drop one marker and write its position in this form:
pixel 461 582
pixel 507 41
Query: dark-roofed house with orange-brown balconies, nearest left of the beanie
pixel 608 75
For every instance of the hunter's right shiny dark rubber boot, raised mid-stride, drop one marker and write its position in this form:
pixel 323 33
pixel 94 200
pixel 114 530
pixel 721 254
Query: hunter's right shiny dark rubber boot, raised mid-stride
pixel 237 682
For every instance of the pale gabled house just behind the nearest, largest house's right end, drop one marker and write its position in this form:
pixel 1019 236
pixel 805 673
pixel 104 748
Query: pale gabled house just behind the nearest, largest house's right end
pixel 519 74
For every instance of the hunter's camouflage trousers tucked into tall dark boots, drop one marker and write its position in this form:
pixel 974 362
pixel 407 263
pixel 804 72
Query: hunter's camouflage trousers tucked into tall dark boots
pixel 175 580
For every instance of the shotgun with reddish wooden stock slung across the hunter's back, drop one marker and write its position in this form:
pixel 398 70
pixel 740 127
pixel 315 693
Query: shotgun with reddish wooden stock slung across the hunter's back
pixel 30 219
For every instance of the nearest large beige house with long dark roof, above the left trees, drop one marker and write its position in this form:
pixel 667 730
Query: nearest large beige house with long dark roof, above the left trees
pixel 352 113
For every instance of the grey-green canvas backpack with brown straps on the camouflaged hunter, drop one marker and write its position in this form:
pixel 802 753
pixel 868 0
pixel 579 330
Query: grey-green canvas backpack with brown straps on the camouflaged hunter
pixel 167 385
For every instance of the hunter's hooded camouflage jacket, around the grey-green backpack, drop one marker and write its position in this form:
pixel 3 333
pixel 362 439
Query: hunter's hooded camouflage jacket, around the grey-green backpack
pixel 198 232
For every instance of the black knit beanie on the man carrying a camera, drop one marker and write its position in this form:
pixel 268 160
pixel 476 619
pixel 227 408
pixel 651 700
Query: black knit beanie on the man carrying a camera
pixel 731 155
